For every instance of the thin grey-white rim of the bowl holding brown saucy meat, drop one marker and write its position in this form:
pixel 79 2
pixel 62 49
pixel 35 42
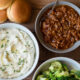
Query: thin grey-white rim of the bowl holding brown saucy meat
pixel 75 7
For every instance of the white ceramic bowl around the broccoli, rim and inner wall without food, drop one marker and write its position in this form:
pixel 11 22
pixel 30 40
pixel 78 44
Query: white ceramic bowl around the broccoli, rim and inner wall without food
pixel 72 64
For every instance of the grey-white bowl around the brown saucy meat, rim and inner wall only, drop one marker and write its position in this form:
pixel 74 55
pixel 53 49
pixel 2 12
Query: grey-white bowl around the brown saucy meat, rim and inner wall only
pixel 39 33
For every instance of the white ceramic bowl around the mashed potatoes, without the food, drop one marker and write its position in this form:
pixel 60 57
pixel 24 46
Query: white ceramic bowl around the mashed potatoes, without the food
pixel 13 25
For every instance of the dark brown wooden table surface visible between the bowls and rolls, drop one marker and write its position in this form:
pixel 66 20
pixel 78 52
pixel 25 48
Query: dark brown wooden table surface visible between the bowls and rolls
pixel 44 53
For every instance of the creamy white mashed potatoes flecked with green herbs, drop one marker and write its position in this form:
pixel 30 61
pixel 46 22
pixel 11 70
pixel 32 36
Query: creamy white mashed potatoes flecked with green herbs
pixel 17 53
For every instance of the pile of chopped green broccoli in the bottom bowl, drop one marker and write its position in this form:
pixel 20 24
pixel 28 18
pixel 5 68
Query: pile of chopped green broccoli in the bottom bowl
pixel 59 71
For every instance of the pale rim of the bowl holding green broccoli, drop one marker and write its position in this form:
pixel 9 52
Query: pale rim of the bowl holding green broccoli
pixel 53 59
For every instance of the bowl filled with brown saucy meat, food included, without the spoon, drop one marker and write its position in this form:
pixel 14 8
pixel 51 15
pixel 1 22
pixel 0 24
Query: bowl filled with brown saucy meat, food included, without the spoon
pixel 60 31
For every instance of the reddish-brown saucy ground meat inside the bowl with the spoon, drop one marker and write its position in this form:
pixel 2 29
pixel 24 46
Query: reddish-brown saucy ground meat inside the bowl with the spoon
pixel 62 28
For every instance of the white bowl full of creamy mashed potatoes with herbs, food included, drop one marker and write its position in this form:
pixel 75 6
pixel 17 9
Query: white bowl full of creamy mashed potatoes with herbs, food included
pixel 19 52
